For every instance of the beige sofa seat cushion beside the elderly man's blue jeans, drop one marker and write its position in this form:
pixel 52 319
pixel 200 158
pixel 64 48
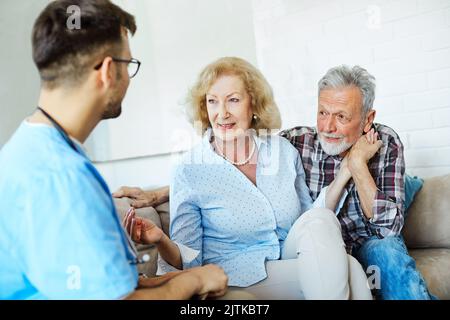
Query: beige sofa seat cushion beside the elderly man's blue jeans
pixel 434 266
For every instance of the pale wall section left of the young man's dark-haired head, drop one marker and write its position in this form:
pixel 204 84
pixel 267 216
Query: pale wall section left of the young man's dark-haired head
pixel 19 79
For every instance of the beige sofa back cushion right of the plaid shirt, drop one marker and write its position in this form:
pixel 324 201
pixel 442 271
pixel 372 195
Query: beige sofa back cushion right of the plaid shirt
pixel 428 221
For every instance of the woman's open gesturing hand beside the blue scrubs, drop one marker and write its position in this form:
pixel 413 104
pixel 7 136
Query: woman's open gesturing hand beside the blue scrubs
pixel 141 230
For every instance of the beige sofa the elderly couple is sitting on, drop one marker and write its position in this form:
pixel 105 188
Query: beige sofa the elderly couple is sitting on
pixel 426 232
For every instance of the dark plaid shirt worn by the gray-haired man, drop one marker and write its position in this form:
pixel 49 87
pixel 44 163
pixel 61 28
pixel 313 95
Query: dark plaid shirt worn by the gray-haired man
pixel 387 168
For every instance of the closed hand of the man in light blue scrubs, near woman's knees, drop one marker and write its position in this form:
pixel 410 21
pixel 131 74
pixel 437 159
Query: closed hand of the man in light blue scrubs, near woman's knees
pixel 213 280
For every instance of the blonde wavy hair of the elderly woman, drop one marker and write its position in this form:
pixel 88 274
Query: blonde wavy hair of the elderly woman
pixel 263 104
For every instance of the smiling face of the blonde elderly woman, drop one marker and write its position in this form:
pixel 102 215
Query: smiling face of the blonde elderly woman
pixel 229 107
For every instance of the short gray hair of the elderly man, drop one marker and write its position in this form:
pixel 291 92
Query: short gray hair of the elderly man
pixel 344 76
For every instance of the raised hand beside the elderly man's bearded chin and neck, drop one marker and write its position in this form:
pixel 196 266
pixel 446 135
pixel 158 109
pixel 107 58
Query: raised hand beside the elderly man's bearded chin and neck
pixel 364 149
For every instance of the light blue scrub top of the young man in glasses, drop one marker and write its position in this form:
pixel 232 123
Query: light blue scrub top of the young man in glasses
pixel 60 236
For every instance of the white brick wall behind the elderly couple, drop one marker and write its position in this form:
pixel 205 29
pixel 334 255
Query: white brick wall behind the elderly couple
pixel 405 44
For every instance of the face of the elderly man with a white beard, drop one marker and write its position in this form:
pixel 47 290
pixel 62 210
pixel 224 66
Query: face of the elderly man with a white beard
pixel 339 119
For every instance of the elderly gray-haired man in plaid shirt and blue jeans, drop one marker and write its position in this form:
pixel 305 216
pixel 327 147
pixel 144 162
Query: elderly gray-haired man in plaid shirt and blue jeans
pixel 371 209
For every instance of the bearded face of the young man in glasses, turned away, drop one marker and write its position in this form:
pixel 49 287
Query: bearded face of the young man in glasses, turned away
pixel 118 91
